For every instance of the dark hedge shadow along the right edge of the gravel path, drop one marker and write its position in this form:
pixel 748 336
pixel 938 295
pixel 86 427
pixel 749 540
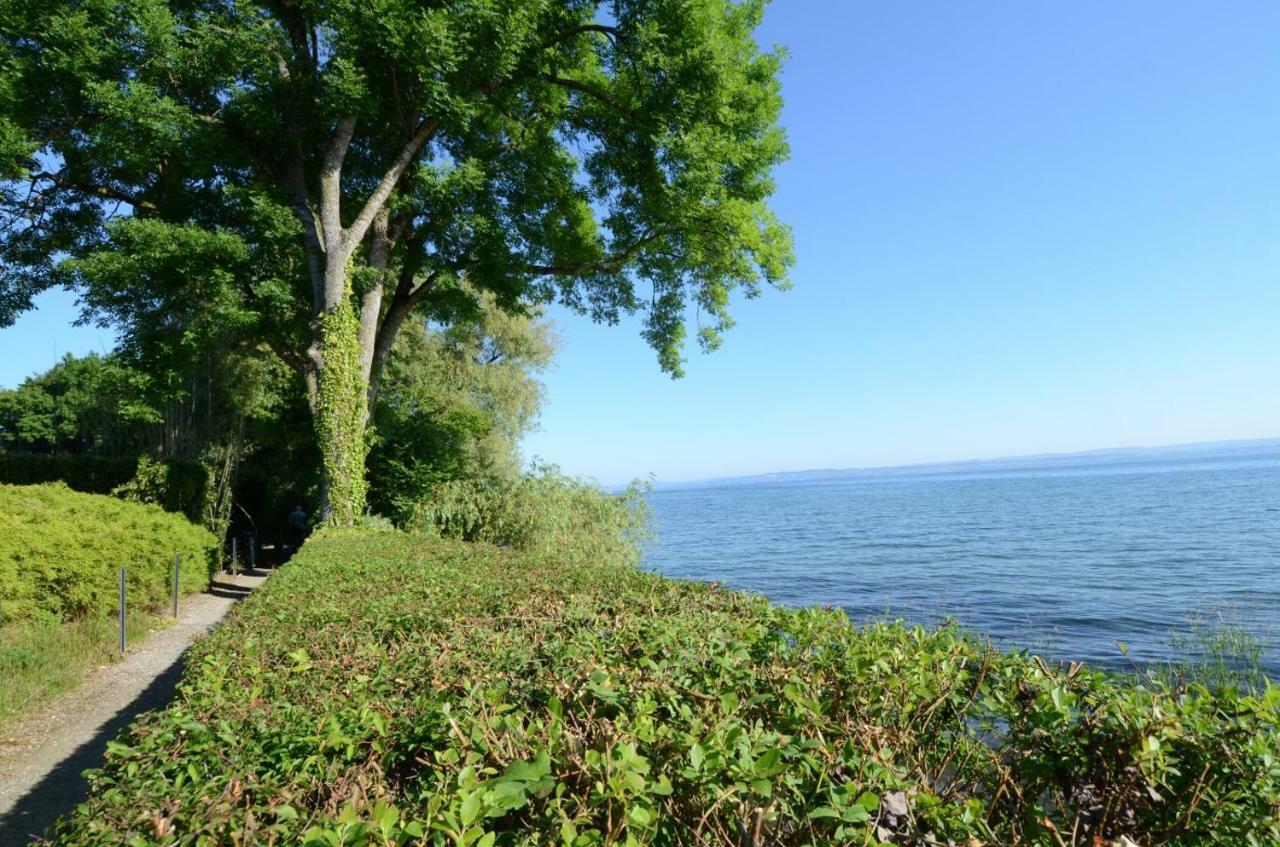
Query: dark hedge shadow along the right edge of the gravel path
pixel 65 786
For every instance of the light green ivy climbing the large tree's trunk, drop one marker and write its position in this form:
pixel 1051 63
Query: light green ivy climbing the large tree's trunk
pixel 340 416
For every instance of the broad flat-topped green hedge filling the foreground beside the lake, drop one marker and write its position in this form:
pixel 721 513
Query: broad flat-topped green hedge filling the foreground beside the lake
pixel 387 689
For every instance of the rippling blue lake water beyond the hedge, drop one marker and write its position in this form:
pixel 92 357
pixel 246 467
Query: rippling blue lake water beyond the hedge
pixel 1064 560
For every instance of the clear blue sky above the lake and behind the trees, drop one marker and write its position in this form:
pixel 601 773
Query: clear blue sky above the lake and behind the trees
pixel 1021 227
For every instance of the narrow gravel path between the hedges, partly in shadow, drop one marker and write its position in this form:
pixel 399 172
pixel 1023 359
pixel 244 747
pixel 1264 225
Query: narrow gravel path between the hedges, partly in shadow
pixel 43 756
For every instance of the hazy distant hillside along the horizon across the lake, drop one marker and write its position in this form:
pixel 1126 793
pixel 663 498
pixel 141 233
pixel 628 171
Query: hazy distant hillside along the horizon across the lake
pixel 1201 451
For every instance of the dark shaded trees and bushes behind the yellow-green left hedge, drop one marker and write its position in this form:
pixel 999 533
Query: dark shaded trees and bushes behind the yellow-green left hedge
pixel 111 425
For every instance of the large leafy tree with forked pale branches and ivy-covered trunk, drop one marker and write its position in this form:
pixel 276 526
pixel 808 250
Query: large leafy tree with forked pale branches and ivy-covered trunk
pixel 310 173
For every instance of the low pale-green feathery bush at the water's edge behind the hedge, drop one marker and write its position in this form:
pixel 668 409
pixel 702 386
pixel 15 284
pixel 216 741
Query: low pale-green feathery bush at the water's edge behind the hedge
pixel 542 514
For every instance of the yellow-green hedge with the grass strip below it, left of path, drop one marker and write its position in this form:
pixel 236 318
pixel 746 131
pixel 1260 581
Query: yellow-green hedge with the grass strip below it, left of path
pixel 60 558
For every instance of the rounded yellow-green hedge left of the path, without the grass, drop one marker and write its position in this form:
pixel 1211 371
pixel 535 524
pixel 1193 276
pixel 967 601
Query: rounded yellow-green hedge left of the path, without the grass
pixel 61 551
